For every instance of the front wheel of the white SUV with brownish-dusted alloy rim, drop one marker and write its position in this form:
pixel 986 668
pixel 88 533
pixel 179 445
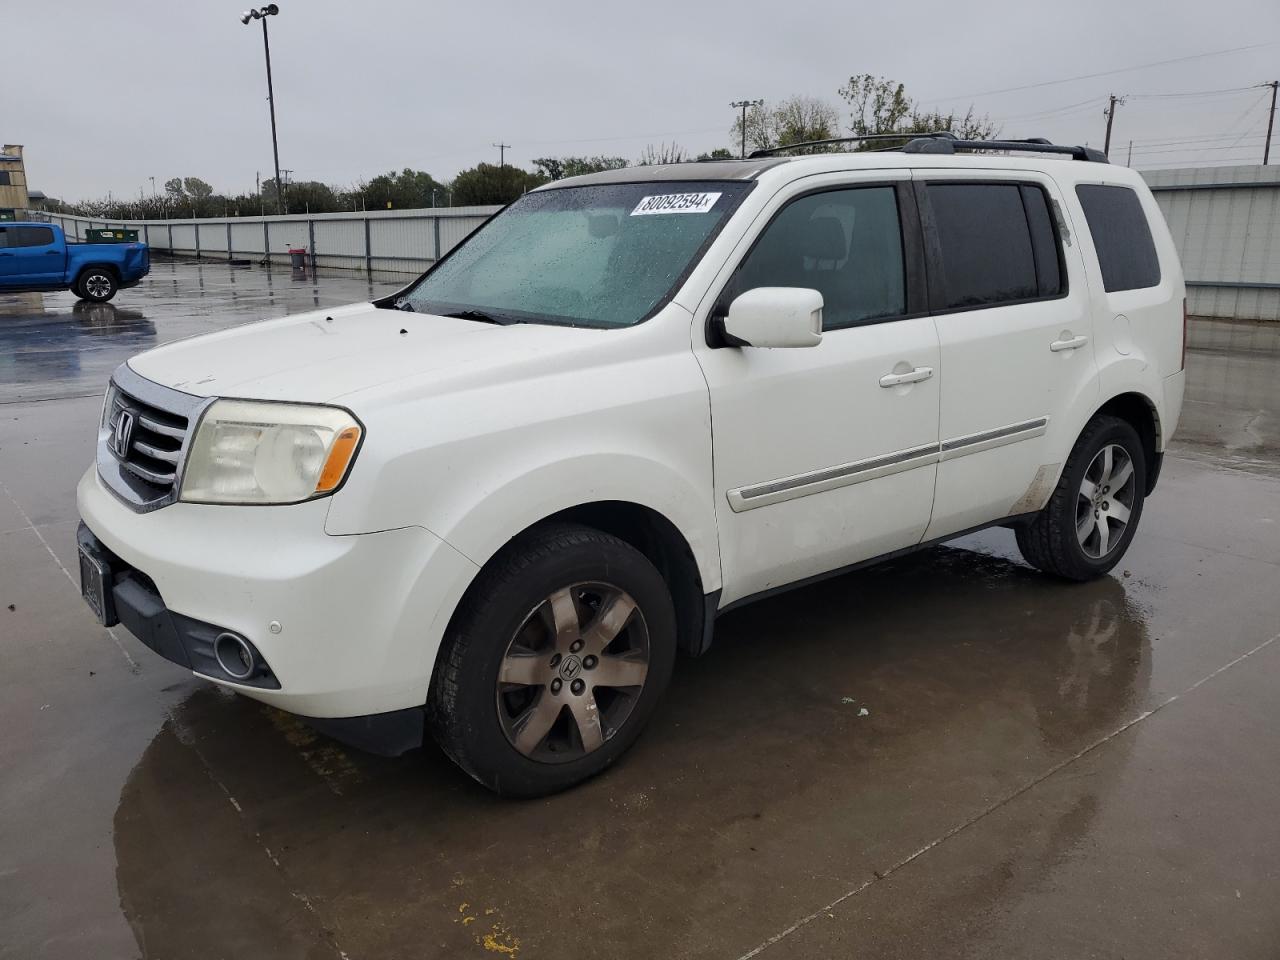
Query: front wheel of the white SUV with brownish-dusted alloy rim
pixel 536 685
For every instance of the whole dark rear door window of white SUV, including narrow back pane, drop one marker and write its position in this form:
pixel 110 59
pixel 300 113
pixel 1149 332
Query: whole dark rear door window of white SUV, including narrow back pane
pixel 998 245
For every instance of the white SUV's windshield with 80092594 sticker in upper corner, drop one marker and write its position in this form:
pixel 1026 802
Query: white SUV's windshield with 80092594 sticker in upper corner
pixel 588 257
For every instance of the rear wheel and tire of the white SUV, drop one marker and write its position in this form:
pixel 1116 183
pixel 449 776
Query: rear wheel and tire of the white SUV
pixel 1095 495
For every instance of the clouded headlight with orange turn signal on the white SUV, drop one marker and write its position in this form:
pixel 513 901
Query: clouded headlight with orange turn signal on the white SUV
pixel 249 452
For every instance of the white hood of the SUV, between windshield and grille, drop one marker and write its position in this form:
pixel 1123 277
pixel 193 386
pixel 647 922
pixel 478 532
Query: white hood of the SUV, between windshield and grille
pixel 330 355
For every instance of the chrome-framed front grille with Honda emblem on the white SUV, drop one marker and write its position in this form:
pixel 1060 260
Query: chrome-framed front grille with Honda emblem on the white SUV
pixel 144 438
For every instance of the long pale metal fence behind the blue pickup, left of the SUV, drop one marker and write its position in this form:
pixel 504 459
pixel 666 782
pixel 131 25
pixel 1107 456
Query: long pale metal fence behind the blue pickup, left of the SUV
pixel 376 241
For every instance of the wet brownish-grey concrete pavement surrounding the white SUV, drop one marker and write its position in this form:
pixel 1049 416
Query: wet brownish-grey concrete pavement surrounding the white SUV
pixel 947 756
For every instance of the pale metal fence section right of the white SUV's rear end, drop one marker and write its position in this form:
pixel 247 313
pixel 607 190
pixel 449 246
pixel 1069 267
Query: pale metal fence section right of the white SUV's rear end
pixel 1227 225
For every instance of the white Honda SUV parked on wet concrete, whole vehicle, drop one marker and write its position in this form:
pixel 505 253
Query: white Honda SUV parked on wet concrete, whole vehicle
pixel 495 505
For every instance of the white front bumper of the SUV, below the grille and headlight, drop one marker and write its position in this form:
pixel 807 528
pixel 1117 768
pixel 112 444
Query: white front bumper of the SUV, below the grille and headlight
pixel 349 627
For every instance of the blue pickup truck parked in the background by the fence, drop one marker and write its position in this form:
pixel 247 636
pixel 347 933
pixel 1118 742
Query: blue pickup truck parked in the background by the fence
pixel 36 257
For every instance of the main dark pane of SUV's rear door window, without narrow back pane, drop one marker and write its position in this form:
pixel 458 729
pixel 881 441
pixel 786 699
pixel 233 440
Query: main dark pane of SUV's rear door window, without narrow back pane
pixel 986 245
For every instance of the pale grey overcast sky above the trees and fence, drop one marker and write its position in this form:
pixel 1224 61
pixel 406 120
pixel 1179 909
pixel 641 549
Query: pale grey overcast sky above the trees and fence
pixel 115 93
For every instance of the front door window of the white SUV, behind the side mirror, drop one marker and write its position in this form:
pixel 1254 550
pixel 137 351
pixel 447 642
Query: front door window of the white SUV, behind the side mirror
pixel 847 245
